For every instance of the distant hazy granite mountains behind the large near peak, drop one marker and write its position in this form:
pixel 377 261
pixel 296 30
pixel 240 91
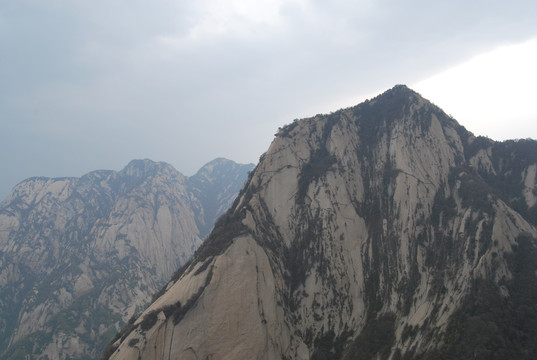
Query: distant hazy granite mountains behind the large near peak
pixel 80 256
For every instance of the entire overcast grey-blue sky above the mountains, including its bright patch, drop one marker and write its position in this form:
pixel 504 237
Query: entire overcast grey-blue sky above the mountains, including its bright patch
pixel 88 85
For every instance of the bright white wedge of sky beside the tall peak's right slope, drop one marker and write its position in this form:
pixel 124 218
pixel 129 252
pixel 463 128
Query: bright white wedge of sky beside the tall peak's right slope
pixel 493 94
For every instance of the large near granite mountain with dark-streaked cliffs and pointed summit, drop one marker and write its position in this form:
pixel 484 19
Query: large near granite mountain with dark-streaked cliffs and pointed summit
pixel 381 231
